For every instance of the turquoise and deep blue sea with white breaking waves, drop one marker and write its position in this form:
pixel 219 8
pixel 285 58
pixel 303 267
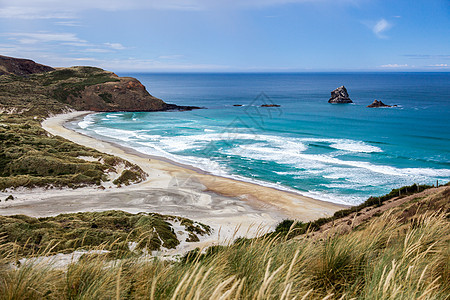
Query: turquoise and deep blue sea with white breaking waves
pixel 342 153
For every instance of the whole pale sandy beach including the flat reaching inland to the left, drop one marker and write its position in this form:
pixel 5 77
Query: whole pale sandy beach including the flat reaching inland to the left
pixel 231 207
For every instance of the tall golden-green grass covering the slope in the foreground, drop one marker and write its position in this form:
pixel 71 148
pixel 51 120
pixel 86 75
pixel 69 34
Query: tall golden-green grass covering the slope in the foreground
pixel 399 255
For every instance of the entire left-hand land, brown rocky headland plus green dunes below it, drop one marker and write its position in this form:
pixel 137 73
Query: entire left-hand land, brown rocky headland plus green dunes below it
pixel 30 92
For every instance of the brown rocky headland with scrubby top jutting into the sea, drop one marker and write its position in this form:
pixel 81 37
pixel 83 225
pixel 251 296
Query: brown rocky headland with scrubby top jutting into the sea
pixel 77 88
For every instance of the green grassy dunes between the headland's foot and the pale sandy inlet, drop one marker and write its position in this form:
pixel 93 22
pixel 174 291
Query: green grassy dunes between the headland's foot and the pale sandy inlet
pixel 30 157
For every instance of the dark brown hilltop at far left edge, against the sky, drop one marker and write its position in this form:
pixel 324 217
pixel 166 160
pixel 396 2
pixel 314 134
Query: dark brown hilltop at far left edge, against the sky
pixel 21 67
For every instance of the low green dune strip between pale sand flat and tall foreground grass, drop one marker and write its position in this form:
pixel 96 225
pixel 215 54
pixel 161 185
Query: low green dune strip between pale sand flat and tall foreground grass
pixel 69 232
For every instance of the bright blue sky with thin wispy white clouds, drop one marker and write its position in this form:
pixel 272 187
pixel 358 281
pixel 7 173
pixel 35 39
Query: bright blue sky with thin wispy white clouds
pixel 229 35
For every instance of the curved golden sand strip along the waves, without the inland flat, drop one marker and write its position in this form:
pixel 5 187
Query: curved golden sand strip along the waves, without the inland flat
pixel 291 204
